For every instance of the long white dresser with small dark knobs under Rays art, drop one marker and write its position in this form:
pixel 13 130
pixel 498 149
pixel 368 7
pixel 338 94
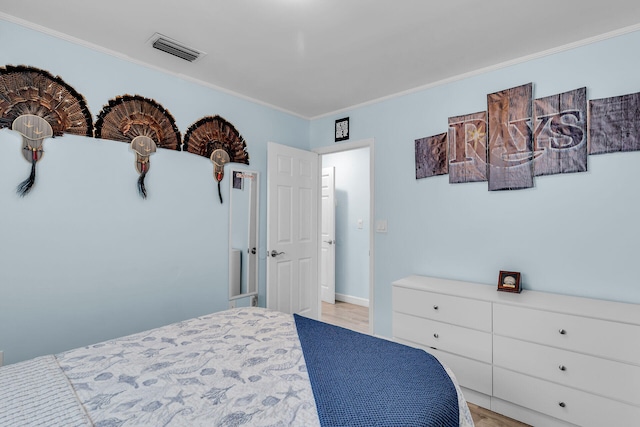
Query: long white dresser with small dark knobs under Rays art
pixel 545 359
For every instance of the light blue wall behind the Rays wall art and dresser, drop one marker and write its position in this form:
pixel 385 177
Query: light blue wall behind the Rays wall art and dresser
pixel 573 234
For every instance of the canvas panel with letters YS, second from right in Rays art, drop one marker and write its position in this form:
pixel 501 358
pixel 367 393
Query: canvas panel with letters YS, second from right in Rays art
pixel 560 133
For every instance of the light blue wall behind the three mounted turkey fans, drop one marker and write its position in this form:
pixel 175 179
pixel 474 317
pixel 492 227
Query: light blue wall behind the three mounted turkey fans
pixel 82 257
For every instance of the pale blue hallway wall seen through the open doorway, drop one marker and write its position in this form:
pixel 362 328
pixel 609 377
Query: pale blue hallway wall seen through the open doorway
pixel 352 243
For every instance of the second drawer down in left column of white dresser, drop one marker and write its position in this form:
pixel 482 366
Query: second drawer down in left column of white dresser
pixel 443 336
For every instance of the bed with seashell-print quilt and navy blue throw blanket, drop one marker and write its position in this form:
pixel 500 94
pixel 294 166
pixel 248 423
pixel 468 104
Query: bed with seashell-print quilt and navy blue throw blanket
pixel 244 366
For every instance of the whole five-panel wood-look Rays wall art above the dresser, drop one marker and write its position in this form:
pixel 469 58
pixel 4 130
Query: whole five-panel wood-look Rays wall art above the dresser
pixel 519 138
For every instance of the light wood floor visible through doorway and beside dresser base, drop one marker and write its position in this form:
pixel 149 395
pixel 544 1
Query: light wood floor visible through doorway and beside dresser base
pixel 356 318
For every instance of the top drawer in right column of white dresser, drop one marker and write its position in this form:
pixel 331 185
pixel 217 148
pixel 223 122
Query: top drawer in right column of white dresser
pixel 617 341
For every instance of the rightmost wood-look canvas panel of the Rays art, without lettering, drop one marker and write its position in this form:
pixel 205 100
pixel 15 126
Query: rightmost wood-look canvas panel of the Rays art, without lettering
pixel 614 124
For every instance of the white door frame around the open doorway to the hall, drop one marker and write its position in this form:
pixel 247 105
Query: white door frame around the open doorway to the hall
pixel 348 146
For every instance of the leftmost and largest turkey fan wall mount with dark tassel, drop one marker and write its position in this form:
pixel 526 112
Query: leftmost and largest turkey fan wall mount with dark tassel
pixel 39 105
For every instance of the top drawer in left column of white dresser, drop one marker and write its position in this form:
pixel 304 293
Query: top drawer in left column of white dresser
pixel 466 312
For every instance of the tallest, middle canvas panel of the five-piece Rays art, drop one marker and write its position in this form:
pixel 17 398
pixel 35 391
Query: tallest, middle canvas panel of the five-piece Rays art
pixel 510 150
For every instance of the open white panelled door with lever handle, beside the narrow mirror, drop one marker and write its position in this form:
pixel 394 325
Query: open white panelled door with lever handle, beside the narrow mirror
pixel 292 230
